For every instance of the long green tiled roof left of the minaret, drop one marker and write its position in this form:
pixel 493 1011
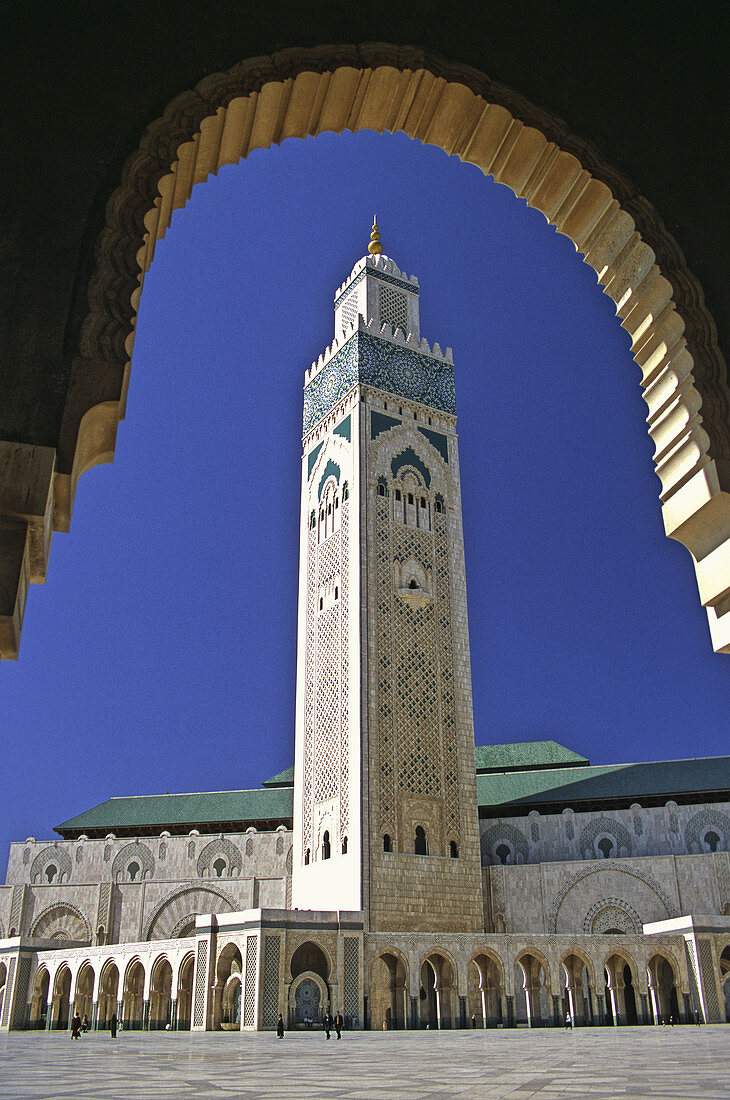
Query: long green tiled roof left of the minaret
pixel 163 811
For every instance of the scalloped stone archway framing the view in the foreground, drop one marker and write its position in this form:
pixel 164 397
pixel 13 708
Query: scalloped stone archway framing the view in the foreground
pixel 302 93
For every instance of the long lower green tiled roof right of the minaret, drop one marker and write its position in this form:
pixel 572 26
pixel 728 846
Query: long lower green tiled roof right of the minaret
pixel 666 779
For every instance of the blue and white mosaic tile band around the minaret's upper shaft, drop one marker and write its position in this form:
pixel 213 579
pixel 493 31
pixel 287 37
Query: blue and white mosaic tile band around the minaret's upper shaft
pixel 377 362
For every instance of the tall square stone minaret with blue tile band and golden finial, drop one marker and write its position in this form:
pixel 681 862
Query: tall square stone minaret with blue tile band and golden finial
pixel 385 791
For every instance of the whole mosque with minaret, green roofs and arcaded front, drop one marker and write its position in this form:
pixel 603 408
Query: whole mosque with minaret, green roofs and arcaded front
pixel 396 874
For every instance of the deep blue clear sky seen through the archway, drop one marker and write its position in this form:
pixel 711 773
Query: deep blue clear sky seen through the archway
pixel 160 656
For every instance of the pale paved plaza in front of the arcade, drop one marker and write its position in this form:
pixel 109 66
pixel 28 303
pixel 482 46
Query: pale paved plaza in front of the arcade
pixel 602 1063
